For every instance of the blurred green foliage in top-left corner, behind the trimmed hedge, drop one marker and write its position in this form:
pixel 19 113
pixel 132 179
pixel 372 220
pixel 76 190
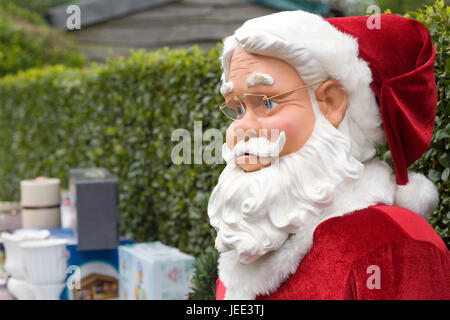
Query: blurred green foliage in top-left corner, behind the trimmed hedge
pixel 26 41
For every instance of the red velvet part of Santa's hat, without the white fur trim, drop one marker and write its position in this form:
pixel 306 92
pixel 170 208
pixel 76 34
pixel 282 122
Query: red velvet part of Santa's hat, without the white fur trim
pixel 401 56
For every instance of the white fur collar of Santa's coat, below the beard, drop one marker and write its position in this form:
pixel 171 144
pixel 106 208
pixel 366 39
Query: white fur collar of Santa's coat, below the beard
pixel 265 275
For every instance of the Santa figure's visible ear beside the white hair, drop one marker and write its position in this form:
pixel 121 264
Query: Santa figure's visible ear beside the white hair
pixel 332 100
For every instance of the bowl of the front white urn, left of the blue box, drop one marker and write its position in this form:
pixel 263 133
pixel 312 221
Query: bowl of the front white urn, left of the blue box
pixel 45 261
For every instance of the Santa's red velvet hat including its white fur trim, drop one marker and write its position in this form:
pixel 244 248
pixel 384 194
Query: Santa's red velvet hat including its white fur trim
pixel 386 68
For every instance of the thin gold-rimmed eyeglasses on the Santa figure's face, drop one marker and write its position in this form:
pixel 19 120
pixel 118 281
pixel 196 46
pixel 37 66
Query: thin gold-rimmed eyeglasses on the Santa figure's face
pixel 261 104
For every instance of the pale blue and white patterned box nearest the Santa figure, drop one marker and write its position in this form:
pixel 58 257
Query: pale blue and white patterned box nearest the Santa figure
pixel 154 271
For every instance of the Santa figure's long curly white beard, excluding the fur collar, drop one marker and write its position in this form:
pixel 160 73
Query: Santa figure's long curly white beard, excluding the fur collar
pixel 255 212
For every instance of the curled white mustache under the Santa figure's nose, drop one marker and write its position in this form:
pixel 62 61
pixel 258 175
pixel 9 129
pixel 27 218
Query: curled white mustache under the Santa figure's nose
pixel 256 146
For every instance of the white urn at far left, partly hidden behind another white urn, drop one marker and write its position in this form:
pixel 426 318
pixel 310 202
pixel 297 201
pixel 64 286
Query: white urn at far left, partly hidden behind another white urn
pixel 13 252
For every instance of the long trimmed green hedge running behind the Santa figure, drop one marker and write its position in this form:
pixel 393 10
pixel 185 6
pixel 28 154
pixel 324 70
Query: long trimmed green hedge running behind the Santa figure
pixel 121 116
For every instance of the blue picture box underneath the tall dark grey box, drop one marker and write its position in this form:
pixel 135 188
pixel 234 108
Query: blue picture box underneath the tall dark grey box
pixel 95 271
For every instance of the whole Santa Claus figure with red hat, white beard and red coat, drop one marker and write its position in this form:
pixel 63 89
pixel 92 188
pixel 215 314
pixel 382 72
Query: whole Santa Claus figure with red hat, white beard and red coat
pixel 304 209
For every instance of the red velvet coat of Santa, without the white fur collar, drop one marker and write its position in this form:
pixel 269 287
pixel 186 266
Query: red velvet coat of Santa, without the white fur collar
pixel 386 246
